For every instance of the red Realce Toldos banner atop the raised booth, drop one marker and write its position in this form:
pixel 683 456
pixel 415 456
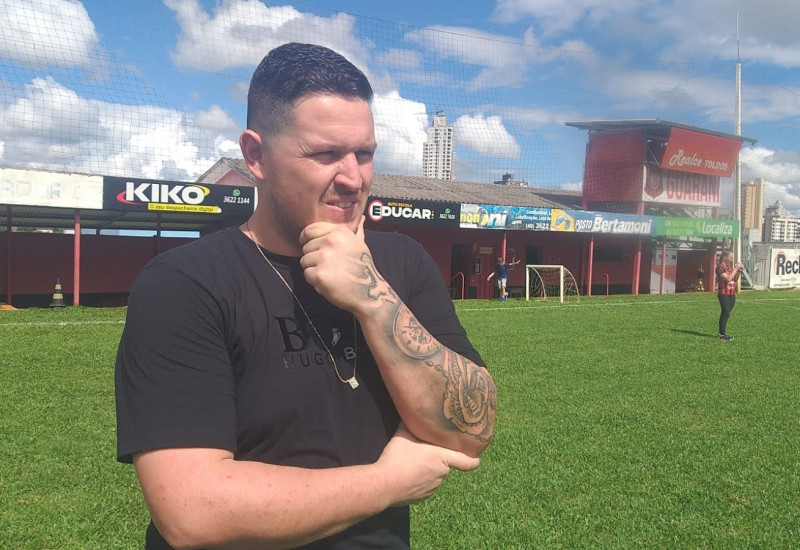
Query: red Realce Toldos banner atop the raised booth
pixel 700 153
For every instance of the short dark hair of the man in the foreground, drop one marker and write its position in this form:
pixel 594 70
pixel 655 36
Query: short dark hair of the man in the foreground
pixel 293 71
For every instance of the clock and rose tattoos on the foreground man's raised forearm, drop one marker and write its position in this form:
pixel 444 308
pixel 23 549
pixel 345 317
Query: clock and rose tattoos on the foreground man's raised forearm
pixel 470 398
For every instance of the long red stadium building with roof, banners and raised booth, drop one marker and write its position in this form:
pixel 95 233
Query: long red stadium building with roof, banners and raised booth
pixel 651 192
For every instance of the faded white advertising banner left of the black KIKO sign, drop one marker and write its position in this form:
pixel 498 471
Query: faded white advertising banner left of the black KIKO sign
pixel 53 189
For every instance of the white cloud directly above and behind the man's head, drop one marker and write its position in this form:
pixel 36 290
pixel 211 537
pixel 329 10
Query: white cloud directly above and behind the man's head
pixel 240 33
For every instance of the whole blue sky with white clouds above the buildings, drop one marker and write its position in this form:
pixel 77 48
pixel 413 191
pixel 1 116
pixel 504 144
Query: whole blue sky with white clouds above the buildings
pixel 156 89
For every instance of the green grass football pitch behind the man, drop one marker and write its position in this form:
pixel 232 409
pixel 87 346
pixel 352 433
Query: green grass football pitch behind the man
pixel 623 423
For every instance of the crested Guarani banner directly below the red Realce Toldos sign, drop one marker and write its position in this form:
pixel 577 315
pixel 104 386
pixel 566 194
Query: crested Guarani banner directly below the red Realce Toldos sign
pixel 671 187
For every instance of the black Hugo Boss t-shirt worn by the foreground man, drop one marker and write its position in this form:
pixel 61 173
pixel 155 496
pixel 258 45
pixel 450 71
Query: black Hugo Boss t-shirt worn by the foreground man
pixel 216 353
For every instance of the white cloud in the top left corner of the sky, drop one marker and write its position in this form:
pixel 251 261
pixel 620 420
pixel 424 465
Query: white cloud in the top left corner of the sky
pixel 47 32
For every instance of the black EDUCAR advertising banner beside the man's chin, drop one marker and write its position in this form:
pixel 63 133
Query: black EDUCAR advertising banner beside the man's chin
pixel 413 212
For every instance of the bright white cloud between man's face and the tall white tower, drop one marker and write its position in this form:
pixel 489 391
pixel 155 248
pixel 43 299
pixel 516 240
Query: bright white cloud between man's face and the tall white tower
pixel 400 131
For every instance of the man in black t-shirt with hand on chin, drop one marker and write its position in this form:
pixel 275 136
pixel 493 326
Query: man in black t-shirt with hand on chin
pixel 297 382
